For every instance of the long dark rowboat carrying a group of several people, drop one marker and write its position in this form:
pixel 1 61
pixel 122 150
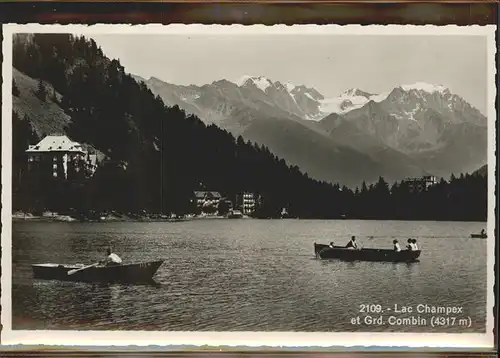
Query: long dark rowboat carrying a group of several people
pixel 378 255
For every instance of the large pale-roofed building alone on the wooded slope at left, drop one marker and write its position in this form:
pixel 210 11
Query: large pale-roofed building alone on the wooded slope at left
pixel 57 155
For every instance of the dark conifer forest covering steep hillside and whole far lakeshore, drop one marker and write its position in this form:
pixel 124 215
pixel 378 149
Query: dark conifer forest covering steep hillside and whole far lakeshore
pixel 157 155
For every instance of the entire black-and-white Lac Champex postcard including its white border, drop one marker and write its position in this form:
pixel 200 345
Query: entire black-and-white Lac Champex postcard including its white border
pixel 211 183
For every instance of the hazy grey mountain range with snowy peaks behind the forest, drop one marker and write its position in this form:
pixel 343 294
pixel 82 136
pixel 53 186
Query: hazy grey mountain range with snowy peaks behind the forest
pixel 410 130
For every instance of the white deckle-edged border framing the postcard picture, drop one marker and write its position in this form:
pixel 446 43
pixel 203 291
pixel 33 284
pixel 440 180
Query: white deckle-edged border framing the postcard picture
pixel 248 339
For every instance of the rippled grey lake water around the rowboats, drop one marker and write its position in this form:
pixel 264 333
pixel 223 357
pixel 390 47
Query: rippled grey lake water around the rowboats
pixel 248 275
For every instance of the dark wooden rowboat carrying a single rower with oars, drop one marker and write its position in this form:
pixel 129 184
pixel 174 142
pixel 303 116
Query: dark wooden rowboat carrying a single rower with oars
pixel 132 273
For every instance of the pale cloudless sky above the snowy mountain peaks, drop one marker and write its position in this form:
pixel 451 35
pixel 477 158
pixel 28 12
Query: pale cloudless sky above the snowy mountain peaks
pixel 329 63
